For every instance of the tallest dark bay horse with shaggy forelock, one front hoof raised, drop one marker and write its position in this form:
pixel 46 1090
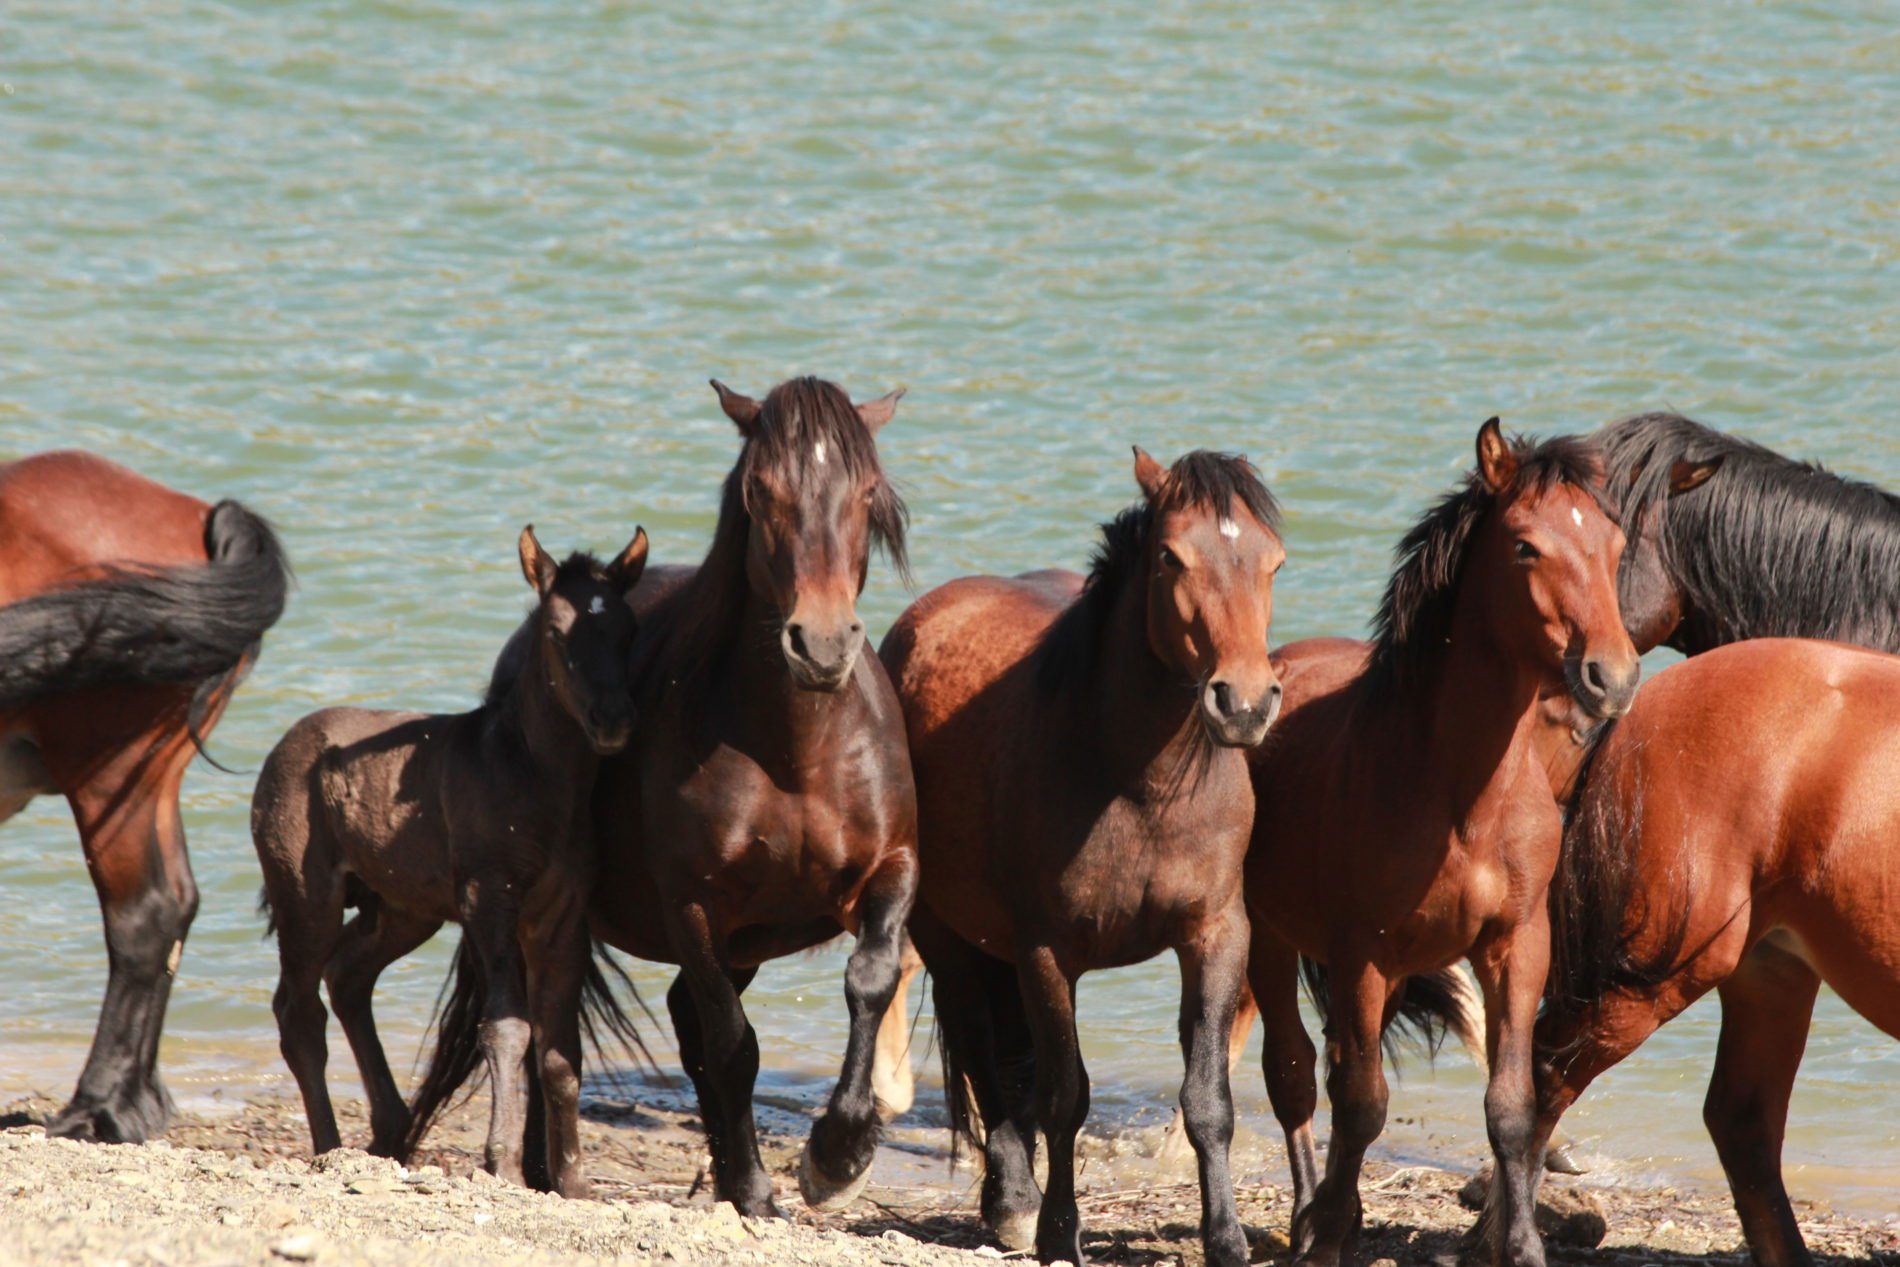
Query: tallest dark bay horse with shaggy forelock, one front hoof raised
pixel 767 801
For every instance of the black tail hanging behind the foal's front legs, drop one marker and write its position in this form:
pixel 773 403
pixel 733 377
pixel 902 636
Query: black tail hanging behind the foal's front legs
pixel 459 1019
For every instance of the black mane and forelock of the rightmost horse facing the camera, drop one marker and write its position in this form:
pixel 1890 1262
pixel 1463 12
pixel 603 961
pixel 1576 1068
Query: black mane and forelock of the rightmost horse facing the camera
pixel 1415 618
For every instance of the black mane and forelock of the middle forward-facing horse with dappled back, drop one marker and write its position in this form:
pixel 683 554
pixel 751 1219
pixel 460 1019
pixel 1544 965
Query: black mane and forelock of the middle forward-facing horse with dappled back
pixel 1198 480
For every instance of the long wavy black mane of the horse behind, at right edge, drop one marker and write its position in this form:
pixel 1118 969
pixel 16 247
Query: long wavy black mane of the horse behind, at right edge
pixel 1768 546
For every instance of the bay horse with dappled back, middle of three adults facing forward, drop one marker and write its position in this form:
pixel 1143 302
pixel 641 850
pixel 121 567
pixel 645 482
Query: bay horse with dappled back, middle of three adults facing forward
pixel 1086 804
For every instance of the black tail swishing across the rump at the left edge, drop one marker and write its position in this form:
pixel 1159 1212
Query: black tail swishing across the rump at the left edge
pixel 151 626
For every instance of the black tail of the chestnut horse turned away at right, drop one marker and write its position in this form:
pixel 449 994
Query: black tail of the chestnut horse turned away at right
pixel 1595 903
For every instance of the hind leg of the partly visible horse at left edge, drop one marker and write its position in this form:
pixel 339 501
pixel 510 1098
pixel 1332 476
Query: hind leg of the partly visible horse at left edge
pixel 134 839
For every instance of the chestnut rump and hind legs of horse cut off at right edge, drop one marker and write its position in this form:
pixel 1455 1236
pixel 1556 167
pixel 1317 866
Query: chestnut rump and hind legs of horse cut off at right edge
pixel 1741 833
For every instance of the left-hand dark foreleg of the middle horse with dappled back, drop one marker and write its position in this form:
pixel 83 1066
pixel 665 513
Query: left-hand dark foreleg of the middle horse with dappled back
pixel 1061 1099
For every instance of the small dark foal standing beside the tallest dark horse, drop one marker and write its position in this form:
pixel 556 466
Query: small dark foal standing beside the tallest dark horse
pixel 478 820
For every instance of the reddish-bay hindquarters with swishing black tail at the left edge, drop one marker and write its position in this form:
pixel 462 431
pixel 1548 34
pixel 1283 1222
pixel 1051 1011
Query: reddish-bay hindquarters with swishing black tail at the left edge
pixel 130 616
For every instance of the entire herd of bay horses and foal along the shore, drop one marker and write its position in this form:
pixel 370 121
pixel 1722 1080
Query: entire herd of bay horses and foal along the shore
pixel 1035 778
